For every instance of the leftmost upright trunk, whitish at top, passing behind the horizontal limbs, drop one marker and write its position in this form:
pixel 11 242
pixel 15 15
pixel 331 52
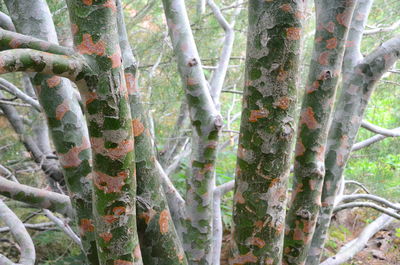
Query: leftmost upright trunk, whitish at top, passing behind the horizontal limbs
pixel 64 115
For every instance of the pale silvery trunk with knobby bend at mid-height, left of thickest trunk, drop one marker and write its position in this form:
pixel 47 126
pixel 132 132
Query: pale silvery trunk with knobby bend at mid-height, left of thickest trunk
pixel 206 122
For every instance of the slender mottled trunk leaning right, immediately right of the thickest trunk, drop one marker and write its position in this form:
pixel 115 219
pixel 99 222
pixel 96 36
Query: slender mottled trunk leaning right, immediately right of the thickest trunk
pixel 332 19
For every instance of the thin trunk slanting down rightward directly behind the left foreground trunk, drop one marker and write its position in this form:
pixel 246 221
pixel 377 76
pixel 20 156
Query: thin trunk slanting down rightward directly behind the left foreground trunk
pixel 159 240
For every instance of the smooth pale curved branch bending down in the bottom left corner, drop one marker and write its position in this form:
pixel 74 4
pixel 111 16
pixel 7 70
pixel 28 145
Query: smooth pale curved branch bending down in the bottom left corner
pixel 18 230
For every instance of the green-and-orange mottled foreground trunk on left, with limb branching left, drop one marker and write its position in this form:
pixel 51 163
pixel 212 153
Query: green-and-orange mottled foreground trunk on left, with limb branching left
pixel 104 92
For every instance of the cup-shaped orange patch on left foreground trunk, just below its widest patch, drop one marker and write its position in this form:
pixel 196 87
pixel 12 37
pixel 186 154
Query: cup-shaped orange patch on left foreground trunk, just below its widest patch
pixel 110 184
